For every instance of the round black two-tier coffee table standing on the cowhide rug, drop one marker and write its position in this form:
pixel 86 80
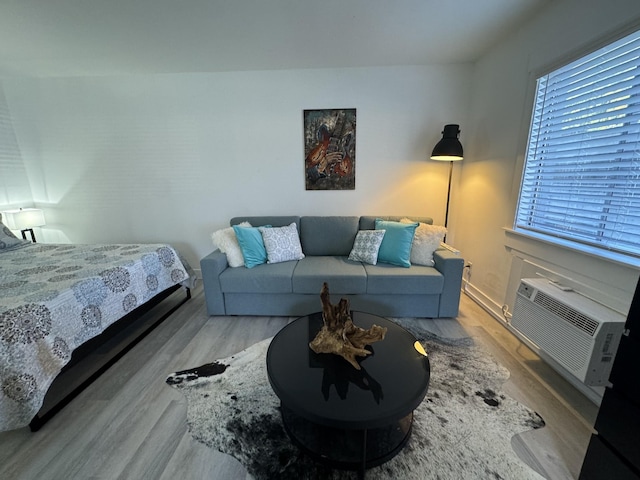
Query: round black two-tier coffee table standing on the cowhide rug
pixel 350 419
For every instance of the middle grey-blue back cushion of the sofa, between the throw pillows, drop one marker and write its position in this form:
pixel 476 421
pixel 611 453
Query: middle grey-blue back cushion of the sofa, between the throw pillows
pixel 328 235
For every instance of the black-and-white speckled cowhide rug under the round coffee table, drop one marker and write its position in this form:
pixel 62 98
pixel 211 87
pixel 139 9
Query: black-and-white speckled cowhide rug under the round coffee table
pixel 462 429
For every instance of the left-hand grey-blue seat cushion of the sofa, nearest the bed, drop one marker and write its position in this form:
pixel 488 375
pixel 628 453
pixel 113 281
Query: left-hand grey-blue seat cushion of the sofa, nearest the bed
pixel 265 278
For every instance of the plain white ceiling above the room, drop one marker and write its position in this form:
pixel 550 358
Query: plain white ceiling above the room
pixel 105 37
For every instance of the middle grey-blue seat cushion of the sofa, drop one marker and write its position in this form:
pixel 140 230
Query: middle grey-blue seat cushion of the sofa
pixel 342 275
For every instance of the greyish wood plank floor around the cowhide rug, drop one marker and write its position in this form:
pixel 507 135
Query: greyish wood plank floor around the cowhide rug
pixel 130 425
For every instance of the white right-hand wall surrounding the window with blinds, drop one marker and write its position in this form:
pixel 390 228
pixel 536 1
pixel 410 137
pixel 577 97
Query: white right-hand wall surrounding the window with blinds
pixel 495 141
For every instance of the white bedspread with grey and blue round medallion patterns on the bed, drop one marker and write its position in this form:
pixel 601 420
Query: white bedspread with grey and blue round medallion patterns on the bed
pixel 53 298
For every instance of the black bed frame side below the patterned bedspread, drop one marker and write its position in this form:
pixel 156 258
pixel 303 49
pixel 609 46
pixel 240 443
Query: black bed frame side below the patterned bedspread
pixel 96 356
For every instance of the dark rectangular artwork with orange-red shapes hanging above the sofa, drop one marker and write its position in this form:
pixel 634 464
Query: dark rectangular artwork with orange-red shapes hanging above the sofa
pixel 330 149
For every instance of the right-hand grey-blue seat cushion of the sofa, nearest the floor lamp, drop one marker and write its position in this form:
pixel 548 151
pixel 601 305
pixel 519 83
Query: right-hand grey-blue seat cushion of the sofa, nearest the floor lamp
pixel 389 279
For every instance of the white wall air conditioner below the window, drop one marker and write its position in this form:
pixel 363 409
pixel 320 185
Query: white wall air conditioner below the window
pixel 582 336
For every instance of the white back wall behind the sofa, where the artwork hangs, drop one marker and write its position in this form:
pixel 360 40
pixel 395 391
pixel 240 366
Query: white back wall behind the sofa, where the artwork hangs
pixel 171 158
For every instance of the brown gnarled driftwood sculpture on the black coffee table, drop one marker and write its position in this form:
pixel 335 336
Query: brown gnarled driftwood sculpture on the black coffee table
pixel 339 335
